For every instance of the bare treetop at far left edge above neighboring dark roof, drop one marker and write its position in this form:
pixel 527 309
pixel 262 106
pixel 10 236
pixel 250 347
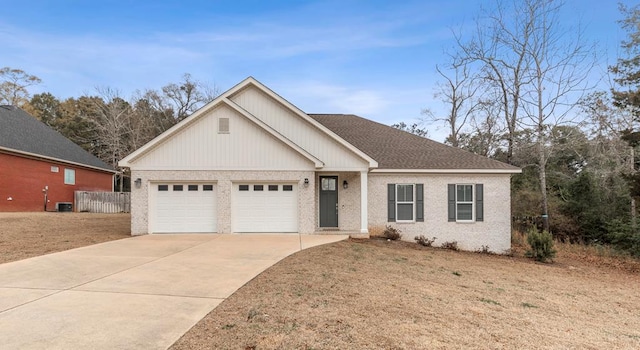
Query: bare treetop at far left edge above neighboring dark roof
pixel 14 84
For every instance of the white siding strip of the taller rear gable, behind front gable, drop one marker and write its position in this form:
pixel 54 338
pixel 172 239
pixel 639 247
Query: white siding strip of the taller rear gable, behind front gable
pixel 335 156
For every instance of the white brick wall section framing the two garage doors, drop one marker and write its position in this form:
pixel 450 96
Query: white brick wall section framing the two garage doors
pixel 223 180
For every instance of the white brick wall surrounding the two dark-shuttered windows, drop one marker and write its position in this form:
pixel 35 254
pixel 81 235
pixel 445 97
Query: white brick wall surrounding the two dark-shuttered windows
pixel 494 231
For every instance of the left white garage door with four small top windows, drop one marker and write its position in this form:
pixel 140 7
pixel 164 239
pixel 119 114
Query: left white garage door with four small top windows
pixel 183 207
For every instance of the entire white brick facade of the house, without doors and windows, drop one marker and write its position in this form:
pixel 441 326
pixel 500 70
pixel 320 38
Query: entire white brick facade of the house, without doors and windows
pixel 494 232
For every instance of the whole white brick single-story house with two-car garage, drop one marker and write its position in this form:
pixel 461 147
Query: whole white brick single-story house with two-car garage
pixel 250 161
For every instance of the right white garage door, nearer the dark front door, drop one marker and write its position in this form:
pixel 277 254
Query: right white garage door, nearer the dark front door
pixel 264 207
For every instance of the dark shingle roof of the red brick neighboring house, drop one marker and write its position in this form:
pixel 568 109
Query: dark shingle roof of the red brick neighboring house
pixel 24 134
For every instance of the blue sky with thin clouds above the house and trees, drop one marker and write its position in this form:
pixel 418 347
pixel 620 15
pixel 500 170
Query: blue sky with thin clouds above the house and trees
pixel 372 58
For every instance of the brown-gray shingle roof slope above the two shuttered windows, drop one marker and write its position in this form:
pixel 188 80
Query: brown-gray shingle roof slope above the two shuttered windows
pixel 397 149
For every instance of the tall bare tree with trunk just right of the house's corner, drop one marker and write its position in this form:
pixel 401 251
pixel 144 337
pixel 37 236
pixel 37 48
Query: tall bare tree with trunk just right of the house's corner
pixel 560 64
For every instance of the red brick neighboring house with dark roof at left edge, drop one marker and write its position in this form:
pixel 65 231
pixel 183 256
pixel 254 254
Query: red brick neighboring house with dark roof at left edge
pixel 40 169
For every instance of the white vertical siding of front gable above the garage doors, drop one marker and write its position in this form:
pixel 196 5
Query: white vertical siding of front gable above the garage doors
pixel 246 146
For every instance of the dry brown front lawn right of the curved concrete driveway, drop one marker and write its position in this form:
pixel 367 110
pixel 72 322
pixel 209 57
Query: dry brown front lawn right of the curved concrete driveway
pixel 375 294
